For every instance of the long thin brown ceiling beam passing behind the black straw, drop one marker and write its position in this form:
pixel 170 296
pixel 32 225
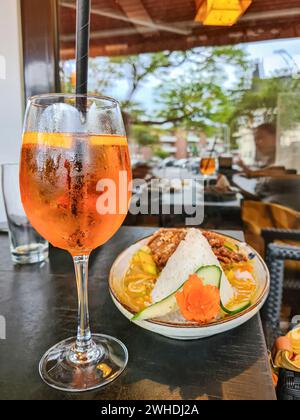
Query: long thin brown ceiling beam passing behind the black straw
pixel 113 14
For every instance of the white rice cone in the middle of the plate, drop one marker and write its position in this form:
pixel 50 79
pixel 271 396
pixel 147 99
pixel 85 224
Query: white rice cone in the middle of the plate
pixel 192 253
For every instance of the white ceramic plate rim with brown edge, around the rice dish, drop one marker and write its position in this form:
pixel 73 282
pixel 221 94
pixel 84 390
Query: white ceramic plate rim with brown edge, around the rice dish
pixel 185 331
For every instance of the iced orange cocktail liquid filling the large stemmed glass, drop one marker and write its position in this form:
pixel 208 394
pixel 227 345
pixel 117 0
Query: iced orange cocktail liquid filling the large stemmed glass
pixel 60 176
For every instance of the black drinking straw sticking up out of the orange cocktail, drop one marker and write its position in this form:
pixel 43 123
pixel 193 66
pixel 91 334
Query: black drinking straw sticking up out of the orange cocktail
pixel 82 49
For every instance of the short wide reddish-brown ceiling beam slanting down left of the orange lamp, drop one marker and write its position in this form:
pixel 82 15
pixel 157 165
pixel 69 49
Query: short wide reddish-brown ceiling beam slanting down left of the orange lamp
pixel 136 11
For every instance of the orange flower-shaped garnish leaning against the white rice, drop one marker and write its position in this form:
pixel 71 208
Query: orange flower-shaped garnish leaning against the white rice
pixel 197 302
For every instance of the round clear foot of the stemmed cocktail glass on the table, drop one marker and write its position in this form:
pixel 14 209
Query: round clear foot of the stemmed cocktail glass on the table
pixel 59 372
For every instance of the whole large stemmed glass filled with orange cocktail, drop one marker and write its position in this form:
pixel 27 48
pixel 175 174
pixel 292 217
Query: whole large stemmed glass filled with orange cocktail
pixel 75 187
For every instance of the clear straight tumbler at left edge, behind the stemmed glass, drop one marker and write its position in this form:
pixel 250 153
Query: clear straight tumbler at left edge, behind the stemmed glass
pixel 27 246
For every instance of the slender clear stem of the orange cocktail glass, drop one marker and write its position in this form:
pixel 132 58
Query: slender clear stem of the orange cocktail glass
pixel 84 346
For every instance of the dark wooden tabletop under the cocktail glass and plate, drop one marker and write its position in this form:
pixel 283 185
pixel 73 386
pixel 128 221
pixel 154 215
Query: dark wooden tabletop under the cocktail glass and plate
pixel 39 304
